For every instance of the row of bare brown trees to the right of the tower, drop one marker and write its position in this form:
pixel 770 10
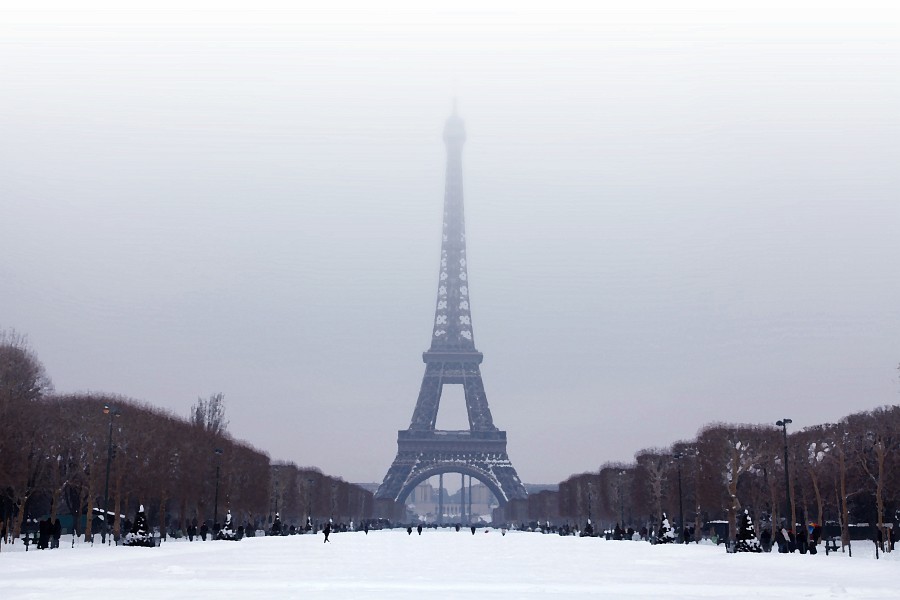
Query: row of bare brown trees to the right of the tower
pixel 845 472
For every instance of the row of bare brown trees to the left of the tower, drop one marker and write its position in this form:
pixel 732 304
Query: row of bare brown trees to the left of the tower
pixel 66 454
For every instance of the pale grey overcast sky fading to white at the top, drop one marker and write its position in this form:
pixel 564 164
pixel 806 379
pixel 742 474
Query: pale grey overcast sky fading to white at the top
pixel 674 216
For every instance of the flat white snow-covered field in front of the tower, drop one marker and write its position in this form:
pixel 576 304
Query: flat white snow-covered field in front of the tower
pixel 438 565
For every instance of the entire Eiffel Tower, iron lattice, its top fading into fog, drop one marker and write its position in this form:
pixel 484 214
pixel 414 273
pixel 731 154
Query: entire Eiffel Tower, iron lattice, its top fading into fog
pixel 424 451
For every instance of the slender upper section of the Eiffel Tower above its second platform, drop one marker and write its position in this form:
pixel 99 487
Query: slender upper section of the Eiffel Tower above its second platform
pixel 452 316
